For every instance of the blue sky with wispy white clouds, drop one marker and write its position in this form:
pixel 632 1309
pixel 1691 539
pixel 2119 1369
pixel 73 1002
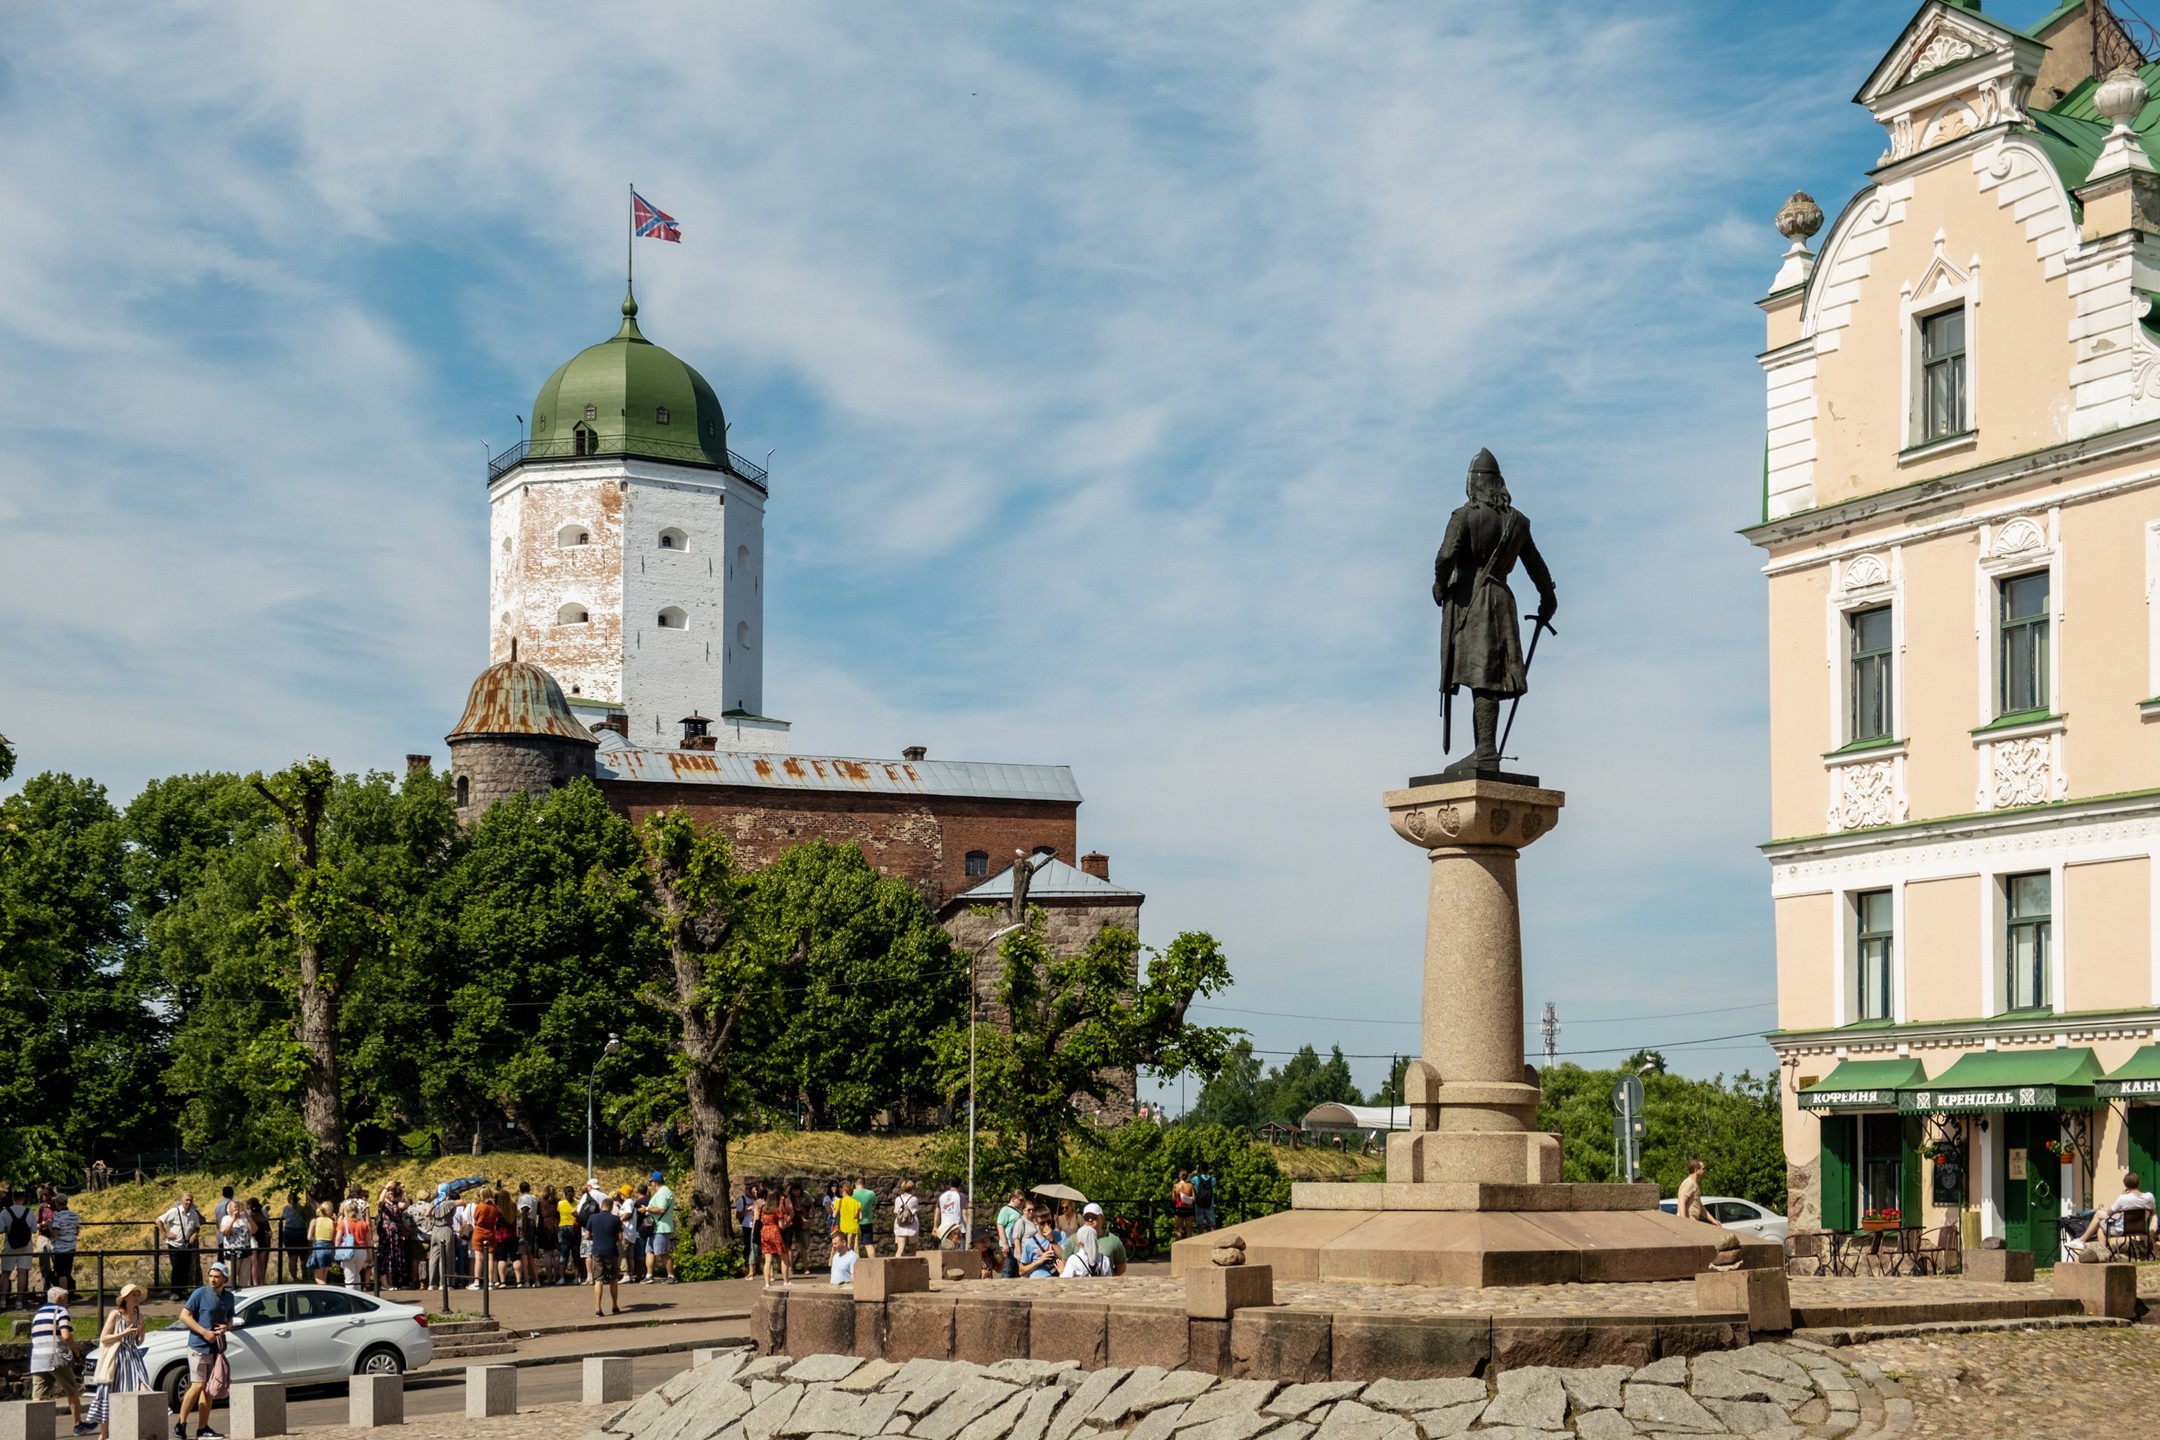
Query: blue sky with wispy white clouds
pixel 1120 362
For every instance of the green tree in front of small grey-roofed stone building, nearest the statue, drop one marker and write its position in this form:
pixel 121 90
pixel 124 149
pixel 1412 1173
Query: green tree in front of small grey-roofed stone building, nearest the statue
pixel 1083 1027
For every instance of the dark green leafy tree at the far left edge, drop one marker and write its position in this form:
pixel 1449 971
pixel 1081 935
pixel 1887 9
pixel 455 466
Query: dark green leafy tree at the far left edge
pixel 79 1050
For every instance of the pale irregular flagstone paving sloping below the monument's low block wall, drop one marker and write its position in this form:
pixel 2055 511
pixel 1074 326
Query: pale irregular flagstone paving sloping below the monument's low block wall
pixel 1759 1394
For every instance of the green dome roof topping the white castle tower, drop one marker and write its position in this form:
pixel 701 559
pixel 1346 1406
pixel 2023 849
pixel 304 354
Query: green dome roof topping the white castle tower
pixel 630 398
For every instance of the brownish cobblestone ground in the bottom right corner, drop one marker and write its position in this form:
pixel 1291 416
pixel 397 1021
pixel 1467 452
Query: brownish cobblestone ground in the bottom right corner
pixel 2055 1385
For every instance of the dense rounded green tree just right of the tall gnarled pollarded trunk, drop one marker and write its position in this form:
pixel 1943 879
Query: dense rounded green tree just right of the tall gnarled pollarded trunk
pixel 852 1033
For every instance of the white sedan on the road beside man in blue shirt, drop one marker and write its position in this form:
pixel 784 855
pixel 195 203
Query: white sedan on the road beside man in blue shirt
pixel 301 1335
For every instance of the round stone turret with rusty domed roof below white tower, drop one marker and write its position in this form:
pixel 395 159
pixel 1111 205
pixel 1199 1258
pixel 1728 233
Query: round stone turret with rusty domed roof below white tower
pixel 517 737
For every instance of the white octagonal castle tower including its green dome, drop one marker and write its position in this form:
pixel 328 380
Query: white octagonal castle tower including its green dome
pixel 627 549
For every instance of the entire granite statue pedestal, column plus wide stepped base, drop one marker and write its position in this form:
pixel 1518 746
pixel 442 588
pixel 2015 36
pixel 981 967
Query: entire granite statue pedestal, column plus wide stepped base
pixel 1474 1191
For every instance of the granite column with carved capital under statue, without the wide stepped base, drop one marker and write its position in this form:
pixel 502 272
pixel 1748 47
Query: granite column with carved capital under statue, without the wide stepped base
pixel 1474 1111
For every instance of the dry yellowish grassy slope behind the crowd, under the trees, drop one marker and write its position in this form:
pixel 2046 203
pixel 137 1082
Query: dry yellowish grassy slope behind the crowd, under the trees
pixel 770 1154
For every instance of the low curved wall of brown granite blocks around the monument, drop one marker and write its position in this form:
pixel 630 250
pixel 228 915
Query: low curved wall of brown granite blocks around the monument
pixel 1286 1344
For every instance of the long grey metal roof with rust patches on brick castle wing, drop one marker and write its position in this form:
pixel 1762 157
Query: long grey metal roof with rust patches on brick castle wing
pixel 837 774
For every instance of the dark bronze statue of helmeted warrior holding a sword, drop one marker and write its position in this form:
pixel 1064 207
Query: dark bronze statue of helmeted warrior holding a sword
pixel 1481 640
